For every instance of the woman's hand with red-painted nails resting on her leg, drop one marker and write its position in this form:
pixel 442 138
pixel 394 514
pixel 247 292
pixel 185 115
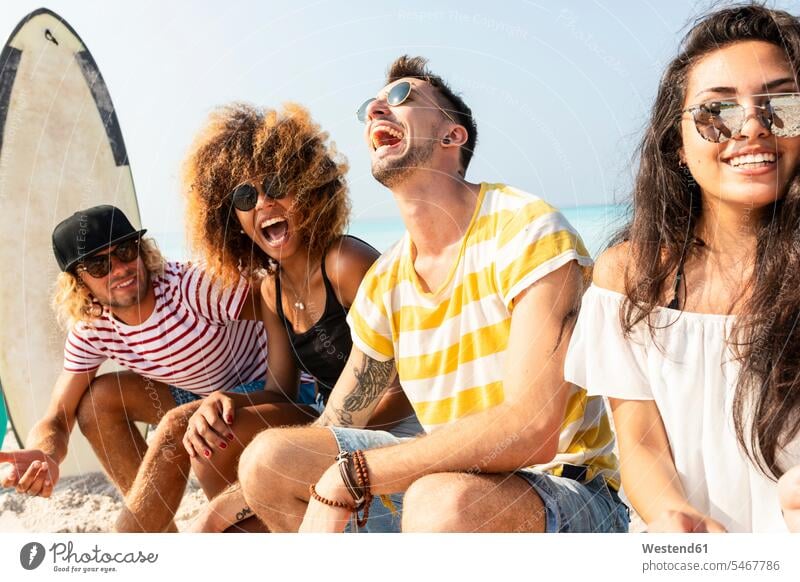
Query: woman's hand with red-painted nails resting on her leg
pixel 209 427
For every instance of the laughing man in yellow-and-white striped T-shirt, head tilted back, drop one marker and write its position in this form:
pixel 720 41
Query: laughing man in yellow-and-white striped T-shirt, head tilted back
pixel 473 309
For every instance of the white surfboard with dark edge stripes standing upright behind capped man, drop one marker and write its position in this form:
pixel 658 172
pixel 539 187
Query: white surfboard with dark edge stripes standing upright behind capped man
pixel 61 149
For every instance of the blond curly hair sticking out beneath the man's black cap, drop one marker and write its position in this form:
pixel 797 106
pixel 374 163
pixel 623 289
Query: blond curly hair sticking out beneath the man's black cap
pixel 72 301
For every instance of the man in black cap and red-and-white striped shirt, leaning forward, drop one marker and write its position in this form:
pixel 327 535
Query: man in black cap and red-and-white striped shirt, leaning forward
pixel 180 335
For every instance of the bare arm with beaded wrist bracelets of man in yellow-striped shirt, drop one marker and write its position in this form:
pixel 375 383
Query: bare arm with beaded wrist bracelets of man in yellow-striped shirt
pixel 527 424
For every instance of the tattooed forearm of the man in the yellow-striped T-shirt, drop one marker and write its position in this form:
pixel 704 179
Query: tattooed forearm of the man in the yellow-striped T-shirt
pixel 358 391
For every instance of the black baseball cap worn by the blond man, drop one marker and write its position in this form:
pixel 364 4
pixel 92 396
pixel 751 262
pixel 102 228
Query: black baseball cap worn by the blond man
pixel 88 231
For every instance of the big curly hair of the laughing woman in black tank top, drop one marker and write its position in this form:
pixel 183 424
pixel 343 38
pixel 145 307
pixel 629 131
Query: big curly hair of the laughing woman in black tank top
pixel 240 141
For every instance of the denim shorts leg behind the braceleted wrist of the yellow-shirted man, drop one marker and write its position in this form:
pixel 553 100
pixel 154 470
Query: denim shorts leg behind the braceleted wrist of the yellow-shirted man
pixel 382 518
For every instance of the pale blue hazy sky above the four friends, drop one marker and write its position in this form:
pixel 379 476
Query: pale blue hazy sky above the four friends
pixel 560 91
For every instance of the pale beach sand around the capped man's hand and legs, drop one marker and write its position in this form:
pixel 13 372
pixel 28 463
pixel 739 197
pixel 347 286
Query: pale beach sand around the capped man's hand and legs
pixel 86 503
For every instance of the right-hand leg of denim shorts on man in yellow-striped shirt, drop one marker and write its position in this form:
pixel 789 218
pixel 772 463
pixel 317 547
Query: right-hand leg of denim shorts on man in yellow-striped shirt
pixel 575 507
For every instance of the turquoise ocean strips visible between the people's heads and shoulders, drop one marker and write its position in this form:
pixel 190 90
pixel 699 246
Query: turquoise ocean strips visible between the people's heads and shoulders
pixel 595 224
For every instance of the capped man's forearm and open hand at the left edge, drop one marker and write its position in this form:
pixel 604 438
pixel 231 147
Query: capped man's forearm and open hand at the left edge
pixel 35 469
